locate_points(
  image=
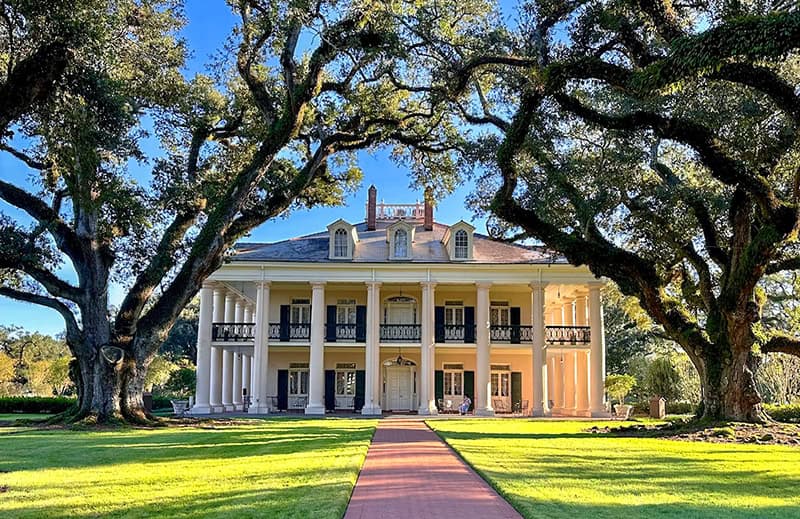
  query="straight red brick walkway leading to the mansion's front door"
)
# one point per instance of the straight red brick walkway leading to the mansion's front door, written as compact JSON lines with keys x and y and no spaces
{"x":410,"y":472}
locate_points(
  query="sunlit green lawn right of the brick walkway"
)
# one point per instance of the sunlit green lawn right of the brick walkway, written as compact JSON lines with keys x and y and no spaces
{"x":553,"y":469}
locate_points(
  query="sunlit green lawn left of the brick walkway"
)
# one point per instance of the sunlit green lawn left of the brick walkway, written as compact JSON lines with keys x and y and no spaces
{"x":280,"y":467}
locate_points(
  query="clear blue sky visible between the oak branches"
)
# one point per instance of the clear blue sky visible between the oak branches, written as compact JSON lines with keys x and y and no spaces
{"x":209,"y":23}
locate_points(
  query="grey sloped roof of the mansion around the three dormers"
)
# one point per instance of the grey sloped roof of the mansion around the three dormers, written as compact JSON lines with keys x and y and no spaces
{"x":372,"y":248}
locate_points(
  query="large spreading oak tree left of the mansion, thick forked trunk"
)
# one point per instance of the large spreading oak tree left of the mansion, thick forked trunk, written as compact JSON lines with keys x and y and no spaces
{"x":299,"y":87}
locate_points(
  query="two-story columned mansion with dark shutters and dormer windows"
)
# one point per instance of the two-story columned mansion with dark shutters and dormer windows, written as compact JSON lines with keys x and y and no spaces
{"x":400,"y":314}
